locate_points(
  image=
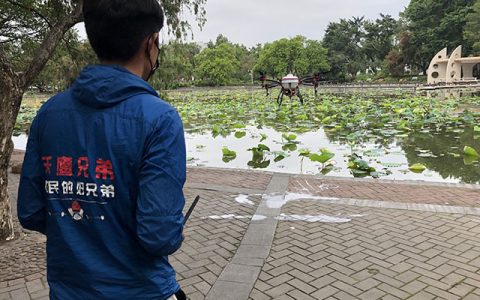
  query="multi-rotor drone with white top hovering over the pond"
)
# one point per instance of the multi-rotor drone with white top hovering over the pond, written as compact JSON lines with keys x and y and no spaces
{"x":290,"y":85}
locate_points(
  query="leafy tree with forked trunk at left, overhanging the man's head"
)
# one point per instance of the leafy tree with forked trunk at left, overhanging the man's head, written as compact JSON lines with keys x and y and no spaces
{"x":41,"y":25}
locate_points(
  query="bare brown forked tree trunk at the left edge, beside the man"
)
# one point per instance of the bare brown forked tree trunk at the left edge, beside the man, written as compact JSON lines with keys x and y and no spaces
{"x":12,"y":87}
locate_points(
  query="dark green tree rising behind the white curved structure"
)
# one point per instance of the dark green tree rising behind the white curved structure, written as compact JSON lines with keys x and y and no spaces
{"x":433,"y":25}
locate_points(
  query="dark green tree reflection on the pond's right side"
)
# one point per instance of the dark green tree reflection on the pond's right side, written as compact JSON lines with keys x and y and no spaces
{"x":439,"y":149}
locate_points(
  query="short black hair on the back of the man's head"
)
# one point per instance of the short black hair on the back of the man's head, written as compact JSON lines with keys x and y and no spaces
{"x":116,"y":28}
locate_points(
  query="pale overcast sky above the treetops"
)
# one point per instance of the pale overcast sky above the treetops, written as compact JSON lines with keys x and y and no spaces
{"x":250,"y":22}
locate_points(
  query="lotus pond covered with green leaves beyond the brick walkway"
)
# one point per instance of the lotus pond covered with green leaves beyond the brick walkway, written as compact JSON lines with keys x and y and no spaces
{"x":400,"y":136}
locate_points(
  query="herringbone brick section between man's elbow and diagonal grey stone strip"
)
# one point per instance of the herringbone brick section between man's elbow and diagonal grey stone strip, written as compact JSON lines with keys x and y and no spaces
{"x":210,"y":243}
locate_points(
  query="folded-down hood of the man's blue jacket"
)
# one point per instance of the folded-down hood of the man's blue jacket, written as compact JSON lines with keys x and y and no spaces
{"x":101,"y":86}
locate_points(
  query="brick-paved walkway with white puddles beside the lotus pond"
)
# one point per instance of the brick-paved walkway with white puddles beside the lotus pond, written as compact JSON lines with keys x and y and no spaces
{"x":260,"y":235}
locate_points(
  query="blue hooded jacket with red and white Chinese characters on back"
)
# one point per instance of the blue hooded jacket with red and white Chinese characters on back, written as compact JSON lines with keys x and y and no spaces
{"x":102,"y":177}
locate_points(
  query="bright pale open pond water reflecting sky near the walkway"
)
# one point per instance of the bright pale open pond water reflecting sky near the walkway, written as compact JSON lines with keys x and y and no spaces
{"x":205,"y":151}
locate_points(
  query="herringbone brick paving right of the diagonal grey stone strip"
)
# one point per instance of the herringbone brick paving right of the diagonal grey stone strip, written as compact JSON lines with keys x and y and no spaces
{"x":380,"y":254}
